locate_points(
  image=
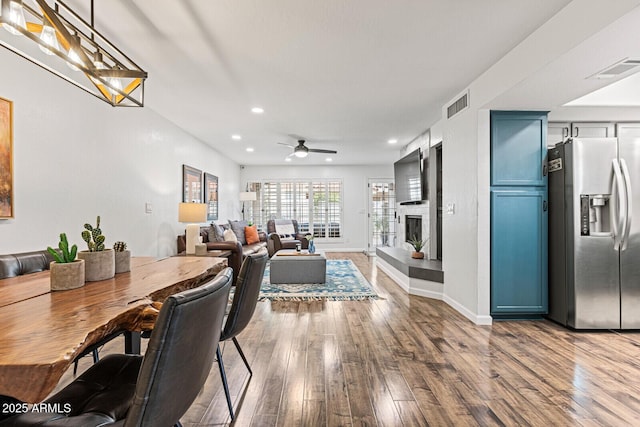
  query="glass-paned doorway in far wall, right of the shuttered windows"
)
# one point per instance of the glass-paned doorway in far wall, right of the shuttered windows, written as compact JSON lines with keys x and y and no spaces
{"x":382,"y":214}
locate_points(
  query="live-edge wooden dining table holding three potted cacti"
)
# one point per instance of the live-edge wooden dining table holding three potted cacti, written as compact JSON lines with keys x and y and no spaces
{"x":43,"y":331}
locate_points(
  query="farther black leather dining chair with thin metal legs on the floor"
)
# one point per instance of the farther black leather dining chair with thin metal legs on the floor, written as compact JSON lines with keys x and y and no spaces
{"x":245,"y":298}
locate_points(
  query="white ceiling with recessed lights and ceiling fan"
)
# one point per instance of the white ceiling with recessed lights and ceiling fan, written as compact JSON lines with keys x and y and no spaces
{"x":344,"y":75}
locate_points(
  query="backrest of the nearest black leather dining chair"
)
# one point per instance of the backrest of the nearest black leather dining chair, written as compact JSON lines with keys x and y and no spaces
{"x":180,"y":353}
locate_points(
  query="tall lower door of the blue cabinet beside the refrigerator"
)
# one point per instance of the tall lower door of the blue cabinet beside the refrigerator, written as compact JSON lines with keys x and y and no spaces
{"x":519,"y":224}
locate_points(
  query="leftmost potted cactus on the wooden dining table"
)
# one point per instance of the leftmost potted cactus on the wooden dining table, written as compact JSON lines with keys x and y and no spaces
{"x":67,"y":272}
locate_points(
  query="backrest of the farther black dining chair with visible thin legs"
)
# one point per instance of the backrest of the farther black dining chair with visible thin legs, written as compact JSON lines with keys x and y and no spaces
{"x":246,"y":294}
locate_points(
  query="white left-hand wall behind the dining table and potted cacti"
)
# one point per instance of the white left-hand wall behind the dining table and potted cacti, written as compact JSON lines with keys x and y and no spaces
{"x":76,"y":157}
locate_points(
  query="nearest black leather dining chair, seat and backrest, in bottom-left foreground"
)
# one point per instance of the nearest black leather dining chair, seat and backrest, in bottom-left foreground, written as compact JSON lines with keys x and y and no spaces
{"x":153,"y":390}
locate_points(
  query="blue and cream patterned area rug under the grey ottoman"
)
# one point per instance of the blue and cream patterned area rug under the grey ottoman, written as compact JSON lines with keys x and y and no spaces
{"x":344,"y":283}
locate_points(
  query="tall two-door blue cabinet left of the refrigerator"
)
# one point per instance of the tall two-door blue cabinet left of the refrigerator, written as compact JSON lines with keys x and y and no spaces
{"x":519,"y":218}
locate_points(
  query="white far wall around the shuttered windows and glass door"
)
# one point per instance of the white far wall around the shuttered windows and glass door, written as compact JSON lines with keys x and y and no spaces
{"x":354,"y":180}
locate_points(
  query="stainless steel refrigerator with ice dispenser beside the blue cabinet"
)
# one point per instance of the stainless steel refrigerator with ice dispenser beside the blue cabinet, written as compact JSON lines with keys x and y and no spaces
{"x":594,"y":240}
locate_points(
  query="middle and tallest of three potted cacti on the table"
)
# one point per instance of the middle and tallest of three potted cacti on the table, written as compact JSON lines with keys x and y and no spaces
{"x":100,"y":263}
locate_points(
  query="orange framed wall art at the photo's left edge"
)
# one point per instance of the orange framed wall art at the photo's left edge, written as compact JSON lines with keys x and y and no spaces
{"x":6,"y":159}
